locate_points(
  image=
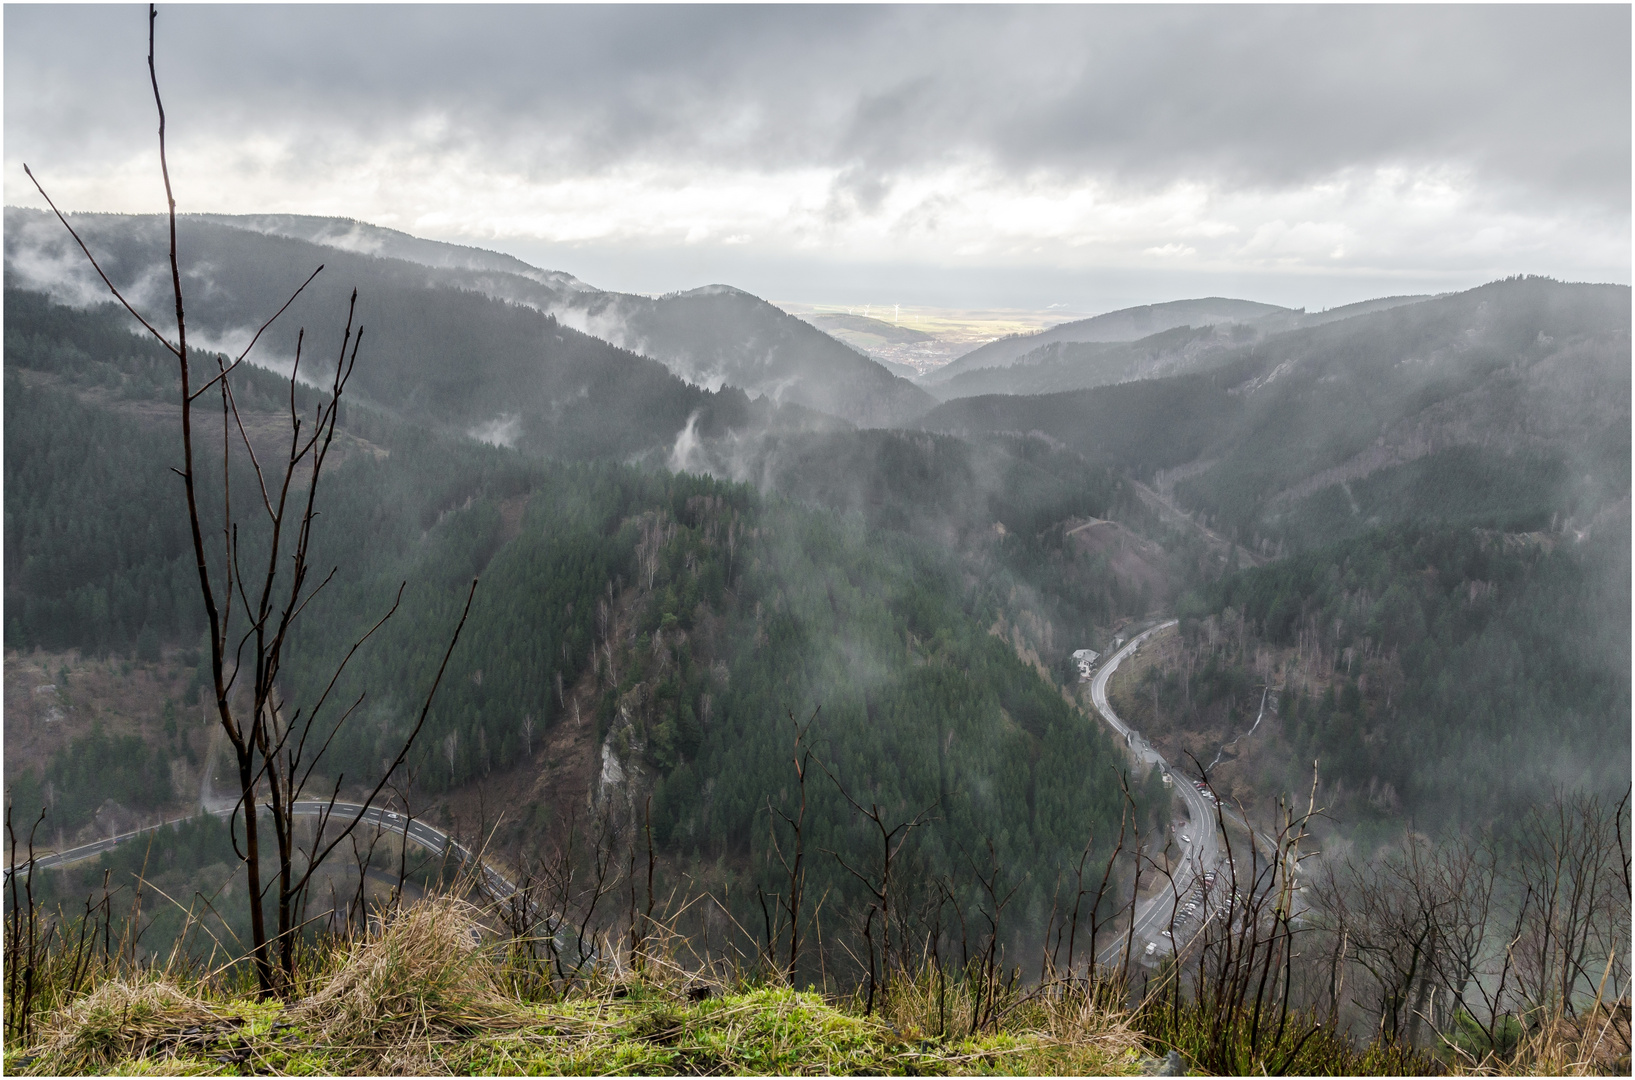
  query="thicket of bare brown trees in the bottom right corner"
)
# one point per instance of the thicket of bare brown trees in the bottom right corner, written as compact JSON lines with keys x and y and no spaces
{"x":1471,"y":937}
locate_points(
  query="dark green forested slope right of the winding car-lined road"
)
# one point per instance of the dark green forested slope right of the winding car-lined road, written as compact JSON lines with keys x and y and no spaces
{"x":1441,"y":676}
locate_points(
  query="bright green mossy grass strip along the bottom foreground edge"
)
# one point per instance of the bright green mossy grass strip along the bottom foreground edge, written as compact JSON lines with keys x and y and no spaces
{"x":647,"y":1032}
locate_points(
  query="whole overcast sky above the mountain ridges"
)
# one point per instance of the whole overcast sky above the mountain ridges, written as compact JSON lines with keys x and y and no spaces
{"x":954,"y":156}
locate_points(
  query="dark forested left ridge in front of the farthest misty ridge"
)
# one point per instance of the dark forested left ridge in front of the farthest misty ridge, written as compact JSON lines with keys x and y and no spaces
{"x":442,"y":355}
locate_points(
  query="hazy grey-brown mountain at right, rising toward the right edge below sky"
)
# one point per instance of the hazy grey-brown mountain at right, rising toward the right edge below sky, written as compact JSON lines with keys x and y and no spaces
{"x":1510,"y":399}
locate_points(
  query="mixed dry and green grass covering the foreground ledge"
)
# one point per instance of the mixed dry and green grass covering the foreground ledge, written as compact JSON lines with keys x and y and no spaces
{"x":428,"y":994}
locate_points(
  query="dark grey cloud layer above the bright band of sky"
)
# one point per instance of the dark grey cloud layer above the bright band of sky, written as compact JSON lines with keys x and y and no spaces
{"x":1534,"y":99}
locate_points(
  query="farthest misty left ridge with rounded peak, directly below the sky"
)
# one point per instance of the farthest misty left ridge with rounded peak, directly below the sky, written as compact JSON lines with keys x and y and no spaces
{"x":714,"y":336}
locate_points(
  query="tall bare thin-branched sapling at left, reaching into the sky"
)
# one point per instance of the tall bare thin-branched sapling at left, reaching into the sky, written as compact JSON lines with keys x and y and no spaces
{"x":275,"y":756}
